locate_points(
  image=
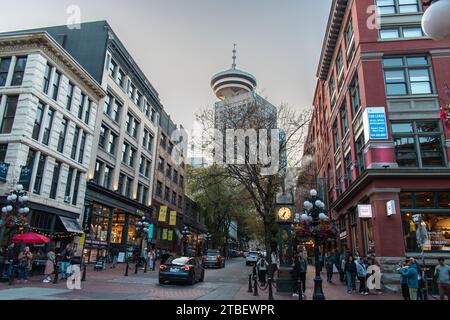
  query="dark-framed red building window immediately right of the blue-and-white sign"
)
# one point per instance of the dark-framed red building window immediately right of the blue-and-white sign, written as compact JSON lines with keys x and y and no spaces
{"x":418,"y":144}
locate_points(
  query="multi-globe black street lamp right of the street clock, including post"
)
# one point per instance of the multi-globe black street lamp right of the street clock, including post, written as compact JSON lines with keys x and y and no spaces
{"x":313,"y":214}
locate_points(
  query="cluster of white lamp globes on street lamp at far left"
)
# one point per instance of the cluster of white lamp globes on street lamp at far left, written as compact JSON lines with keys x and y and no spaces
{"x":15,"y":212}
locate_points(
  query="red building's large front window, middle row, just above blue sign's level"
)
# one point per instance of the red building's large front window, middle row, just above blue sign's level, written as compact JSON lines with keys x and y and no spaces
{"x":407,"y":75}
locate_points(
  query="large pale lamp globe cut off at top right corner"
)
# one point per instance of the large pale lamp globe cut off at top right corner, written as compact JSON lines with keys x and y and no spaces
{"x":436,"y":22}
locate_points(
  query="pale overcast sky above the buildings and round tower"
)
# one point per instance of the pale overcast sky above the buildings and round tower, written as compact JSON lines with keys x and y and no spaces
{"x":181,"y":44}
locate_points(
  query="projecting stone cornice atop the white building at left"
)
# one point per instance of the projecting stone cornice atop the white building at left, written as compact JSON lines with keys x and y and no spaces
{"x":42,"y":41}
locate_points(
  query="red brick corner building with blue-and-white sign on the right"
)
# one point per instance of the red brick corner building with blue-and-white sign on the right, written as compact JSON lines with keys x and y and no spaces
{"x":376,"y":136}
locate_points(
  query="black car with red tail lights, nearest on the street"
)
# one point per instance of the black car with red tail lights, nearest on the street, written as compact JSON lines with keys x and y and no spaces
{"x":182,"y":270}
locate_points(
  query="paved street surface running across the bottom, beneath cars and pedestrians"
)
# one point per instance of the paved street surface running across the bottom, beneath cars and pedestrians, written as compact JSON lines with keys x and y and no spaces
{"x":230,"y":283}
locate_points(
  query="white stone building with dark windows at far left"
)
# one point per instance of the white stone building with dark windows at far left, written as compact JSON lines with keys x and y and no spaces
{"x":48,"y":113}
